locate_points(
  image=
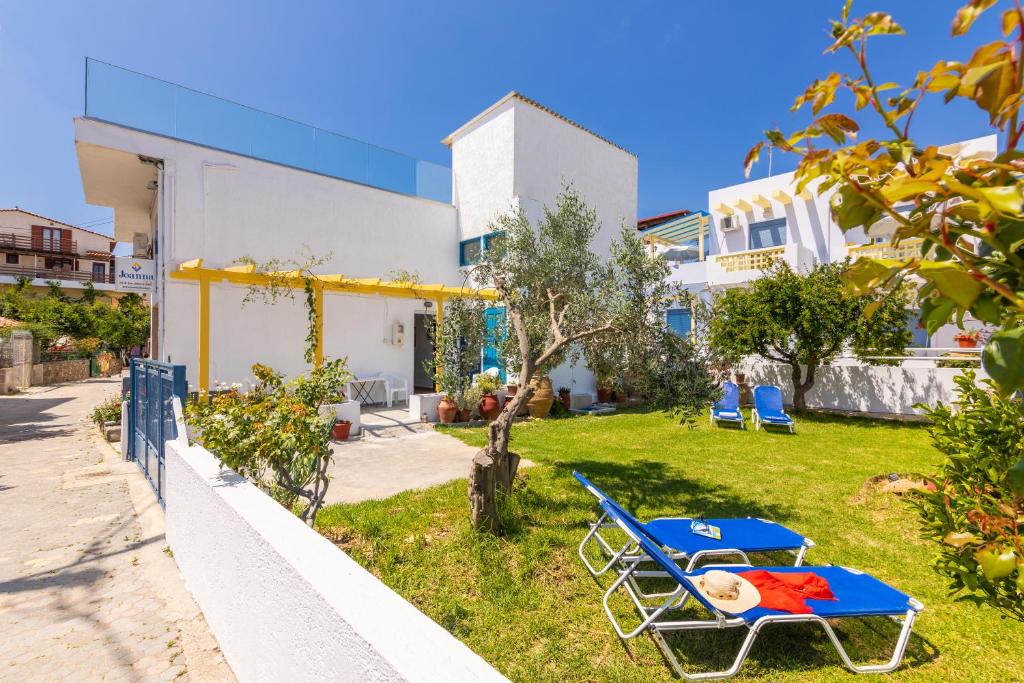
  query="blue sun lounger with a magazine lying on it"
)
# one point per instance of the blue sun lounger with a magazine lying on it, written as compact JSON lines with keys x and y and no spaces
{"x":740,"y":537}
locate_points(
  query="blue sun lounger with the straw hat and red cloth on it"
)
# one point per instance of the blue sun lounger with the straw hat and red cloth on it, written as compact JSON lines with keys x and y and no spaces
{"x":860,"y":595}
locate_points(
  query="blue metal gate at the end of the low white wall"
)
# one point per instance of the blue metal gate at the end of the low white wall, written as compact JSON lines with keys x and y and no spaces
{"x":151,"y":415}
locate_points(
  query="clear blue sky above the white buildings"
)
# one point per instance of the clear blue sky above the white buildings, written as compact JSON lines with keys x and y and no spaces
{"x":688,"y":87}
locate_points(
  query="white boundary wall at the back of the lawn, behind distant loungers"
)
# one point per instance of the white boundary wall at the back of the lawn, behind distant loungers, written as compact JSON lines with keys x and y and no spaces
{"x":866,"y":389}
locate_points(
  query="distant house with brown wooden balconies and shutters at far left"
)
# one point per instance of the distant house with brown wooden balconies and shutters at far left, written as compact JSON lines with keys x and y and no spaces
{"x":44,"y":250}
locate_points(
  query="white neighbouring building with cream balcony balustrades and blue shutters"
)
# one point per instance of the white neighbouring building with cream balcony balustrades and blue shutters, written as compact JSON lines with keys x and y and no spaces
{"x":755,"y":224}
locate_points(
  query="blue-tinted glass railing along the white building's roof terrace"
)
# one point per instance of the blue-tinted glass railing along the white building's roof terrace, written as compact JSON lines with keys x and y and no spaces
{"x":147,"y":104}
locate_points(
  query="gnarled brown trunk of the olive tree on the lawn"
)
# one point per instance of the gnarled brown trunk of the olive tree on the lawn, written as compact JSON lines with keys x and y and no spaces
{"x":494,"y":467}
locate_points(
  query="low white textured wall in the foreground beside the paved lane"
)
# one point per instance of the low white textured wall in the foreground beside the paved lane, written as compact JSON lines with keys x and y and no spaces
{"x":285,"y":604}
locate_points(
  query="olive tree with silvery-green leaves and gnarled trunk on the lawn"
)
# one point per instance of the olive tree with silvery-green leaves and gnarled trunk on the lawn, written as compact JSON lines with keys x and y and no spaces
{"x":558,"y":292}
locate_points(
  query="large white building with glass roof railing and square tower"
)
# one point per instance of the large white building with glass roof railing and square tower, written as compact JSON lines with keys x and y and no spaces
{"x":191,"y":177}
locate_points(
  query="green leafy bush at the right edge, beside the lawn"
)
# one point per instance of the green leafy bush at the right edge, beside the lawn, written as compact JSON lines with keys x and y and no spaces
{"x":976,"y":515}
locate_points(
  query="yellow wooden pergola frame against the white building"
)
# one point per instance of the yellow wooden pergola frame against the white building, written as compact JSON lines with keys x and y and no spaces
{"x":247,"y":275}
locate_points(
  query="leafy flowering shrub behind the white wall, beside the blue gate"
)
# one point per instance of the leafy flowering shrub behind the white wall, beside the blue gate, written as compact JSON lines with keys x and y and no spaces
{"x":275,"y":435}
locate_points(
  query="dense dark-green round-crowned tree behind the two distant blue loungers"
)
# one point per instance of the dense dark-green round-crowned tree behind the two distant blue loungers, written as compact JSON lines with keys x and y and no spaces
{"x":805,"y":321}
